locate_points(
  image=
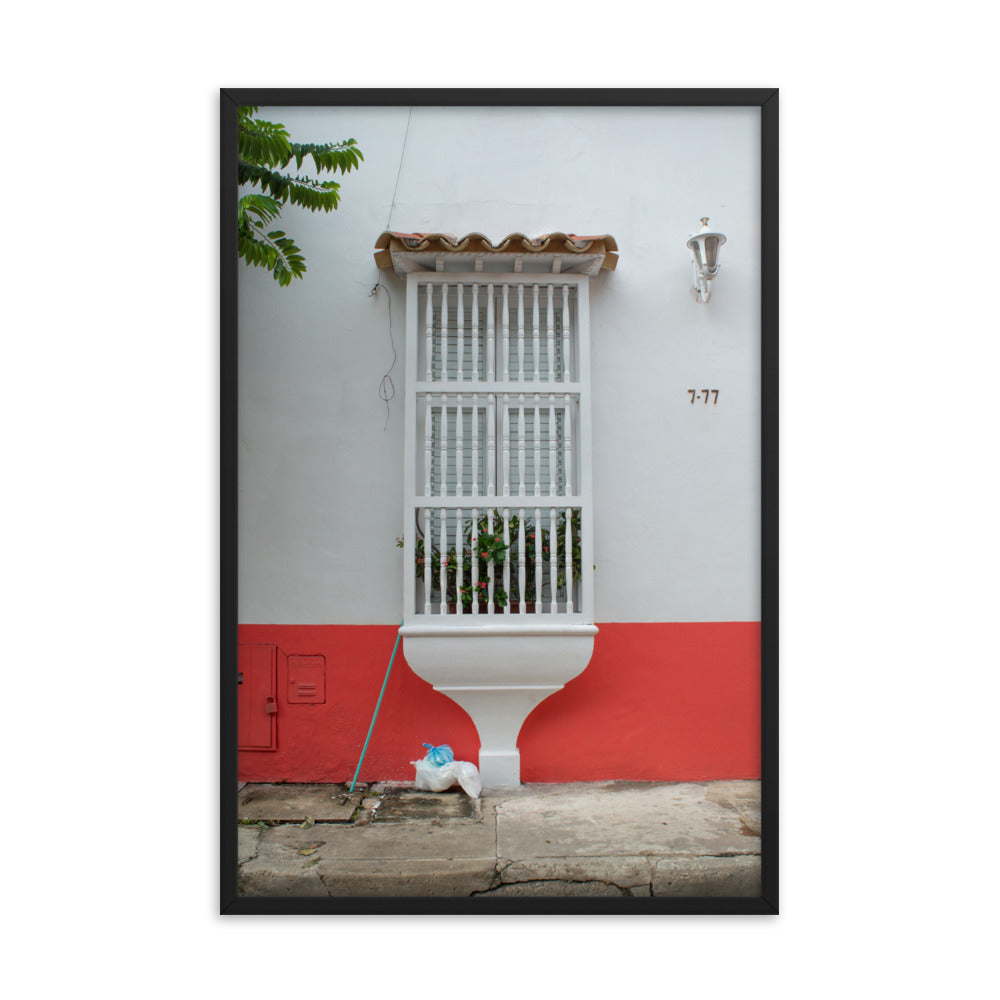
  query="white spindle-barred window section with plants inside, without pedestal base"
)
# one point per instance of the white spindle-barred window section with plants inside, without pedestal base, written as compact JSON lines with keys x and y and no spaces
{"x":498,"y":447}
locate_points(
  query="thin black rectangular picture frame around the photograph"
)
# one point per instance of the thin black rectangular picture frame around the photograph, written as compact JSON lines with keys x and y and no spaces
{"x":764,"y":98}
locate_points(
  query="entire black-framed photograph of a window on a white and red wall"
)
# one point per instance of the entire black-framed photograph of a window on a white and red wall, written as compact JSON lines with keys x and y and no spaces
{"x":499,"y":499}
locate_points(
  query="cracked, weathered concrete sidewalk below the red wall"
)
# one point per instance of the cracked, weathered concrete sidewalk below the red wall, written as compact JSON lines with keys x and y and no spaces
{"x":595,"y":839}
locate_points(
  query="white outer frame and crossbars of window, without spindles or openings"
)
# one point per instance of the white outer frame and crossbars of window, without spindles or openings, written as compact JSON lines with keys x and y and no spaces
{"x":417,"y":388}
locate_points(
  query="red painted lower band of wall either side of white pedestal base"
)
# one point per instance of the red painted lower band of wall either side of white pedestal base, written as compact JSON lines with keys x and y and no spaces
{"x":658,"y":702}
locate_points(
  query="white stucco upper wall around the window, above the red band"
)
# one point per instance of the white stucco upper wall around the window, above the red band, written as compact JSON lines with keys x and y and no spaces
{"x":676,"y":485}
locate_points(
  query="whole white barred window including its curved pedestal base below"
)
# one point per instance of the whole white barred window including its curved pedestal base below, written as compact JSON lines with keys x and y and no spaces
{"x":497,"y":462}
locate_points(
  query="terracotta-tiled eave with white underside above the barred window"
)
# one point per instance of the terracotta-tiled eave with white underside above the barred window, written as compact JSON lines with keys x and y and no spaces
{"x":553,"y":253}
